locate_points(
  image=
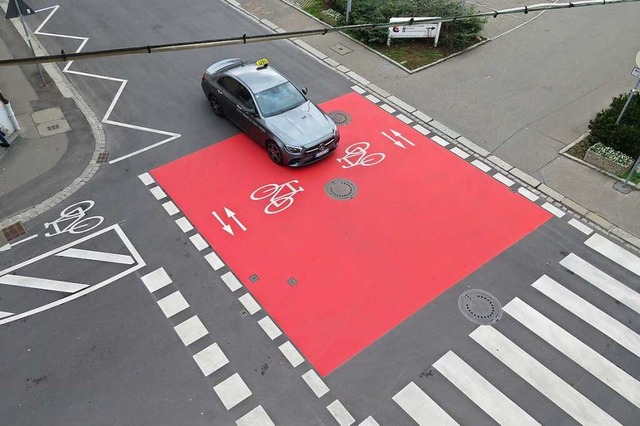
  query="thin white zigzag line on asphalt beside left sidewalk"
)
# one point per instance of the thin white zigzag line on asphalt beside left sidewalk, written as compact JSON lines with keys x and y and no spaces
{"x":170,"y":135}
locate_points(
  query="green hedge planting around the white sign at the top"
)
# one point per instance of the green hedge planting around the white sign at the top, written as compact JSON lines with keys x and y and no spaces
{"x":453,"y":35}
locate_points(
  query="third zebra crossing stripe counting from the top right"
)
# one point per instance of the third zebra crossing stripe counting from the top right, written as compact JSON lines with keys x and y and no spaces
{"x":589,"y":313}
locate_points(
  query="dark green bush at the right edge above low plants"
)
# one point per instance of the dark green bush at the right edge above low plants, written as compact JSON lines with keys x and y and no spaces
{"x":623,"y":137}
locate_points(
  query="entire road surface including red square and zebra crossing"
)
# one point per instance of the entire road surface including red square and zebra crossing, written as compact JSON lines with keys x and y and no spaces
{"x":176,"y":292}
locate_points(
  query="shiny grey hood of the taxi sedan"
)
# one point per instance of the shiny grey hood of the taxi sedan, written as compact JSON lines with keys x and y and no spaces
{"x":301,"y":126}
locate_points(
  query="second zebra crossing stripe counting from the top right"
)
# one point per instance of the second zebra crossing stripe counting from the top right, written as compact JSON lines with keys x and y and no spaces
{"x":604,"y":282}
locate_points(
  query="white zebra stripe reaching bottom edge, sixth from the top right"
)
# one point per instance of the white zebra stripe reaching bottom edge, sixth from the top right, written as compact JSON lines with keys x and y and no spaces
{"x":481,"y":392}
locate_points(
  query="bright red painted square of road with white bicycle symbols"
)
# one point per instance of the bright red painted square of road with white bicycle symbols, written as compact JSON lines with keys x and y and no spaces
{"x":422,"y":220}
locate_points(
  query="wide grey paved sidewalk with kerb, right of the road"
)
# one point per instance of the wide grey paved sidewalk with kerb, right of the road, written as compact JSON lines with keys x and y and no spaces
{"x":516,"y":103}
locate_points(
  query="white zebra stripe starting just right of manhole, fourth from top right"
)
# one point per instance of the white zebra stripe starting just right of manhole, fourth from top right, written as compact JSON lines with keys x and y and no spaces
{"x":578,"y":352}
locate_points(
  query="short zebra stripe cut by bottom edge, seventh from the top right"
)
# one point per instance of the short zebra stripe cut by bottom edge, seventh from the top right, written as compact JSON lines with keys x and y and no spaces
{"x":422,"y":409}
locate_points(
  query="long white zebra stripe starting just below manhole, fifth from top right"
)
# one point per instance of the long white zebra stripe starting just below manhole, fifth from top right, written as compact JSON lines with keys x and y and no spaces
{"x":541,"y":378}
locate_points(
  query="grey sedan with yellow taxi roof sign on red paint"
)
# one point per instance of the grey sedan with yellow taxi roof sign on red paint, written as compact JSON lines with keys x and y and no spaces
{"x":271,"y":110}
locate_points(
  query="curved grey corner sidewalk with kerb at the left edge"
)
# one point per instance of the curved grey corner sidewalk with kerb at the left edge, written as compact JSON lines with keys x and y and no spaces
{"x":55,"y":151}
